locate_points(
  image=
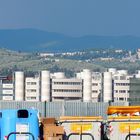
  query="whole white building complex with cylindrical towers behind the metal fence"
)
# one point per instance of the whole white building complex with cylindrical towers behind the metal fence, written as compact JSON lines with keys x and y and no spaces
{"x":87,"y":86}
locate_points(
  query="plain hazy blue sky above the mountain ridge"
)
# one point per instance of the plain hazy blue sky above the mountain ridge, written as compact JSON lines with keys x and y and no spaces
{"x":73,"y":17}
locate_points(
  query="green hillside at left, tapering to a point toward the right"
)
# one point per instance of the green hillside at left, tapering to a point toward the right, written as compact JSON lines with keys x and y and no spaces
{"x":31,"y":63}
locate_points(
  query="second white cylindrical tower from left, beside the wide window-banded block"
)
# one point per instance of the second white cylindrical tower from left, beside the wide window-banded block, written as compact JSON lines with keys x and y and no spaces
{"x":45,"y":86}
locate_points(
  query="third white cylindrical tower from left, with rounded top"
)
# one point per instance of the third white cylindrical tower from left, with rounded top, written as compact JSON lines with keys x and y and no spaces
{"x":87,"y":85}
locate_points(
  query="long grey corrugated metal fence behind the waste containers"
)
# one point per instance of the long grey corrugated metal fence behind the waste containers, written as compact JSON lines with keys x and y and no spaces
{"x":57,"y":109}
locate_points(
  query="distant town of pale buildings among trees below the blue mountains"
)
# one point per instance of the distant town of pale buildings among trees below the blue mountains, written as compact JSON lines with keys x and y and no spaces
{"x":98,"y":54}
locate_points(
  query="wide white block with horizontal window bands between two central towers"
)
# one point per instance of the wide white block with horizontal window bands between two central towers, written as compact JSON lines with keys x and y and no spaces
{"x":66,"y":89}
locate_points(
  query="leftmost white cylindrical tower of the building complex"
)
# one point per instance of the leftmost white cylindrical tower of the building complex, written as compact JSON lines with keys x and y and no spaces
{"x":19,"y":86}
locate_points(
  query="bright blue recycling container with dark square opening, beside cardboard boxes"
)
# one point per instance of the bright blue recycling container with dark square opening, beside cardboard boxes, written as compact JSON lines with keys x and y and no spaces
{"x":19,"y":121}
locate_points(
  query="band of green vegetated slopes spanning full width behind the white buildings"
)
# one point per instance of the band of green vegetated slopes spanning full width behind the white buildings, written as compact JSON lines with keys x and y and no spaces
{"x":31,"y":63}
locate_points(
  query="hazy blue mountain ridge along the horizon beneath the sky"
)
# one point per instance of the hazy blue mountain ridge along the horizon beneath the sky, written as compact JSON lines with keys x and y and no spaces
{"x":32,"y":40}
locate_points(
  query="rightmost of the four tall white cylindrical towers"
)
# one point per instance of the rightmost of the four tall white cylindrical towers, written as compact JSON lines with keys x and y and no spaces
{"x":107,"y":86}
